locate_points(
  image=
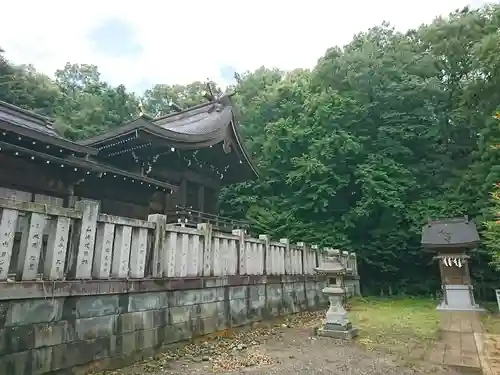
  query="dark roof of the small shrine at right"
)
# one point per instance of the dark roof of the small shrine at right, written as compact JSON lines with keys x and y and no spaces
{"x":454,"y":232}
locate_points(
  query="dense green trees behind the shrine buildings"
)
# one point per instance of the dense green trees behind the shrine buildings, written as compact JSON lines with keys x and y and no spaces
{"x":383,"y":134}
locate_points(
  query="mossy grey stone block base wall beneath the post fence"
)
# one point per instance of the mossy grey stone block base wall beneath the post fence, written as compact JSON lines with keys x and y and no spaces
{"x":73,"y":327}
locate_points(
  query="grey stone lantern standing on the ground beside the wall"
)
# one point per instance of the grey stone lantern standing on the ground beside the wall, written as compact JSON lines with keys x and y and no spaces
{"x":337,"y":324}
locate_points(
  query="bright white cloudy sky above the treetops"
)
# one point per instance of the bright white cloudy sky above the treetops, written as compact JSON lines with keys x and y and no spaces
{"x":140,"y":43}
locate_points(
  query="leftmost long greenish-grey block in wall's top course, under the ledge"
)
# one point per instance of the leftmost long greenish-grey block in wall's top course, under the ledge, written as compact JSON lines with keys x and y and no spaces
{"x":34,"y":311}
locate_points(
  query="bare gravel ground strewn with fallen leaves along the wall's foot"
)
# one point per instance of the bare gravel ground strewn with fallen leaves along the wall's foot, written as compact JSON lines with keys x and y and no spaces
{"x":287,"y":348}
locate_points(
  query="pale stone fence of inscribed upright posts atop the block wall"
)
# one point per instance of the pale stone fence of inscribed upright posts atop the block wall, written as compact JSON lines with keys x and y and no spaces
{"x":39,"y":241}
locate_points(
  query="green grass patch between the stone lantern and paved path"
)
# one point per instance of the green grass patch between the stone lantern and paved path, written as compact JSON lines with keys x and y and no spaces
{"x":404,"y":327}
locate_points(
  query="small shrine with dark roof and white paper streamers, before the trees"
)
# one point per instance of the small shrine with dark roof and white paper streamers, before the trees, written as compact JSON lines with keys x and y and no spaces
{"x":451,"y":239}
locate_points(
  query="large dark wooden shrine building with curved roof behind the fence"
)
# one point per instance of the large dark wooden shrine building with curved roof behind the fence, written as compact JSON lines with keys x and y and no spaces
{"x":173,"y":165}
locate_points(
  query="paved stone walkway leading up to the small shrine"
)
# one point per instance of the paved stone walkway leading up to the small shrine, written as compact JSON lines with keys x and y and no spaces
{"x":465,"y":347}
